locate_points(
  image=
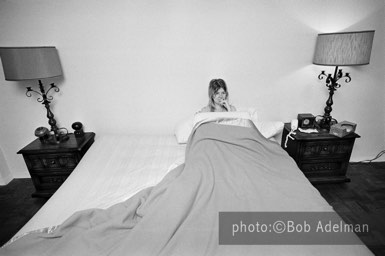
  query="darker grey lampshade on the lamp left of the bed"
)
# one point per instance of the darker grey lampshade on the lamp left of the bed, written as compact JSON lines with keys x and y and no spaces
{"x":25,"y":63}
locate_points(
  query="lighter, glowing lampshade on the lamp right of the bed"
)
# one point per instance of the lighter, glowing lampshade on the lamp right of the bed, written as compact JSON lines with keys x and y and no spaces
{"x":343,"y":49}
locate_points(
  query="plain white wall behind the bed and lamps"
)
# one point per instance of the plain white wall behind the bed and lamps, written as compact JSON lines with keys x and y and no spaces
{"x":141,"y":66}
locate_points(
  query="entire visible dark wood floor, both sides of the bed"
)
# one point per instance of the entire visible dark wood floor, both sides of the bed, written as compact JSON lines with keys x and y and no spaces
{"x":360,"y":201}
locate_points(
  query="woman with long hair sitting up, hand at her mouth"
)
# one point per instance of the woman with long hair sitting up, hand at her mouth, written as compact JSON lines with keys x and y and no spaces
{"x":218,"y":97}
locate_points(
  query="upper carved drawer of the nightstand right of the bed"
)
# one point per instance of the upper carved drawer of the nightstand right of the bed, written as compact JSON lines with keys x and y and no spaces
{"x":326,"y":149}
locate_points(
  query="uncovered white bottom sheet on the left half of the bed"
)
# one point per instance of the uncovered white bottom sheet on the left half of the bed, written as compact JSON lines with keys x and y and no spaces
{"x":114,"y":169}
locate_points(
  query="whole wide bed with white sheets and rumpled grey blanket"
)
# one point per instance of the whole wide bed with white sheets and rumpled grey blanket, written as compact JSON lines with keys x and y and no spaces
{"x":150,"y":195}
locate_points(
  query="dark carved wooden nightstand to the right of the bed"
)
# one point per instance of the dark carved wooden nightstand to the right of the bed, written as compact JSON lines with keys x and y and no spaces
{"x":322,"y":157}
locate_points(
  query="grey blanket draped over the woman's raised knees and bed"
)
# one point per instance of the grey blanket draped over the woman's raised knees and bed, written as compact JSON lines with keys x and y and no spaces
{"x":227,"y":168}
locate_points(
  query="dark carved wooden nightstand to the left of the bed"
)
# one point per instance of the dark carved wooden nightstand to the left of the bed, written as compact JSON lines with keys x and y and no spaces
{"x":50,"y":164}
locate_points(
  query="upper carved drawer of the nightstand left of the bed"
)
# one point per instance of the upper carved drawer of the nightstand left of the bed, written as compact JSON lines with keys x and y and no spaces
{"x":49,"y":161}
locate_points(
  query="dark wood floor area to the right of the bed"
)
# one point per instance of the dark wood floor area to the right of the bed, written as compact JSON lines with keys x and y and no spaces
{"x":361,"y":201}
